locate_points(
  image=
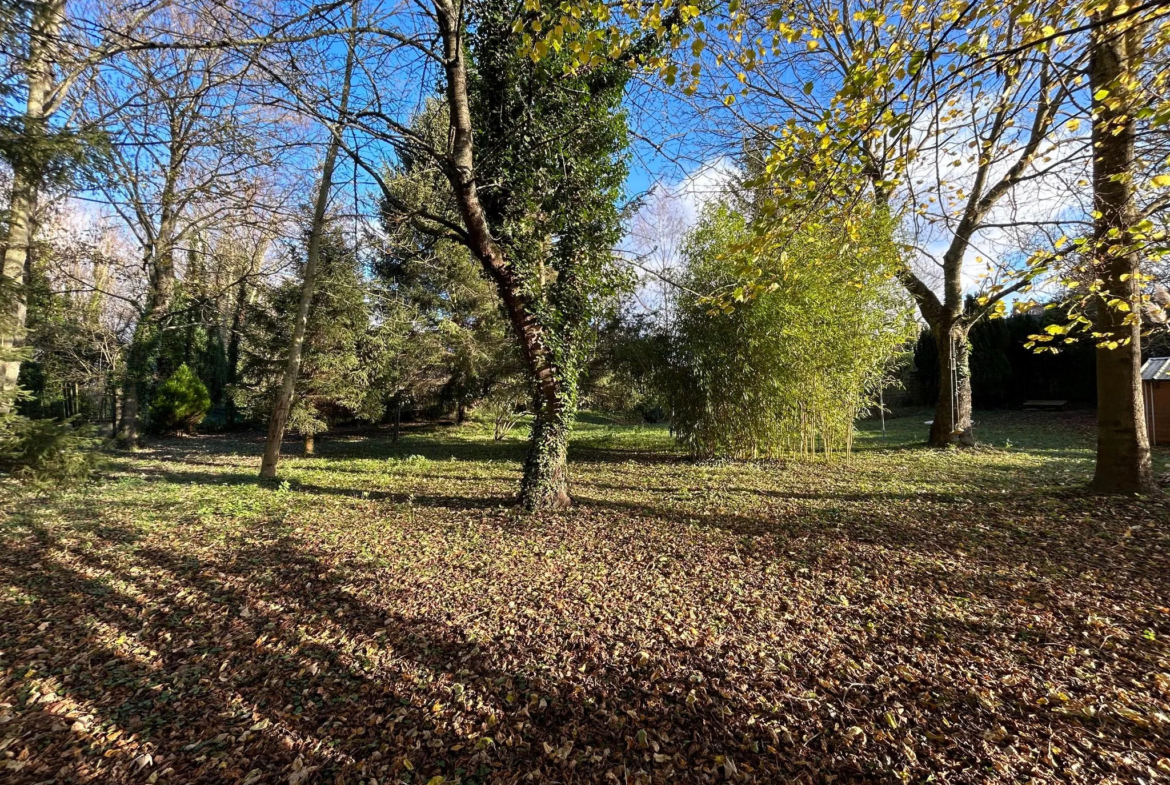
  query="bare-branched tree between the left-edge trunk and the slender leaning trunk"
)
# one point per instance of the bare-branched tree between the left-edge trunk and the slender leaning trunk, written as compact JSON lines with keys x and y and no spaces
{"x":187,"y":160}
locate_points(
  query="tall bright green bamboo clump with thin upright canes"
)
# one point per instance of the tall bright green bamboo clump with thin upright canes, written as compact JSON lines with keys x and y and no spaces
{"x":792,"y":368}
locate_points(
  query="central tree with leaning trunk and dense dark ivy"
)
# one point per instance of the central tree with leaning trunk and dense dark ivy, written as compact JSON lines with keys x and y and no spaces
{"x":536,"y":210}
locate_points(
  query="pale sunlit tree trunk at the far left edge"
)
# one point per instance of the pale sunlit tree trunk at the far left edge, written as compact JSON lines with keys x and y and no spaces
{"x":47,"y":19}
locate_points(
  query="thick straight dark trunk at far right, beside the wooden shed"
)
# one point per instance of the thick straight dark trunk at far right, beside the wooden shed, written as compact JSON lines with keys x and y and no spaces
{"x":1124,"y":449}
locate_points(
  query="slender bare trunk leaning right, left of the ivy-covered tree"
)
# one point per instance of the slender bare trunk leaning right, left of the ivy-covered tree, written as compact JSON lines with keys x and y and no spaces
{"x":280,"y":417}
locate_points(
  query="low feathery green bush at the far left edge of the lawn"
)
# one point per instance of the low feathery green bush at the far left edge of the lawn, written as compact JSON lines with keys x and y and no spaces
{"x":47,"y":452}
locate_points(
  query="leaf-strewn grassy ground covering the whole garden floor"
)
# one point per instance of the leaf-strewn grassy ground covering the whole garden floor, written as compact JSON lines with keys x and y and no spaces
{"x":384,"y":616}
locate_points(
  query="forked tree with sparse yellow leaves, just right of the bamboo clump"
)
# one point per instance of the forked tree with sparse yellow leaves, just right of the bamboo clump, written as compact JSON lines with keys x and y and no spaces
{"x":882,"y":105}
